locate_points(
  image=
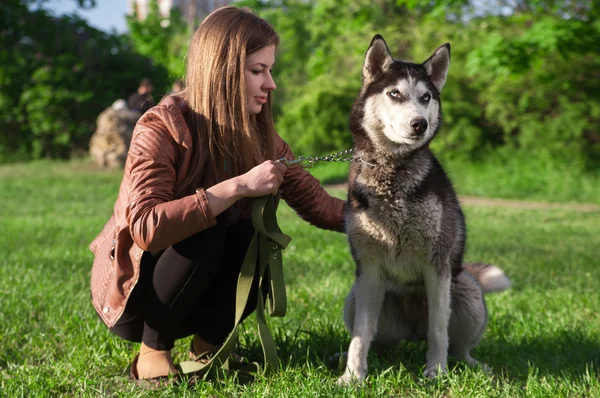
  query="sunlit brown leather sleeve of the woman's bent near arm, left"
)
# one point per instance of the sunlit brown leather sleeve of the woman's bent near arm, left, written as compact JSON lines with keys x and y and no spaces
{"x":155,"y":217}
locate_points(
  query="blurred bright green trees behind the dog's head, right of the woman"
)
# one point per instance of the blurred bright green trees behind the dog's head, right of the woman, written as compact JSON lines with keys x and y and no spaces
{"x":524,"y":74}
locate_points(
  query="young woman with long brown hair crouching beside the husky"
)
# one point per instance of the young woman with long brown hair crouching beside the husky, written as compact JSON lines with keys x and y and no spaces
{"x":166,"y":263}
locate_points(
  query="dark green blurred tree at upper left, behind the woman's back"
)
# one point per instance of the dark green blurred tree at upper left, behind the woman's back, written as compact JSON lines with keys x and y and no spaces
{"x":56,"y":75}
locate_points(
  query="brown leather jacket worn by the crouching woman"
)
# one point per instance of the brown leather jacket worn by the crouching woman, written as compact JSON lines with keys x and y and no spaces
{"x":147,"y":216}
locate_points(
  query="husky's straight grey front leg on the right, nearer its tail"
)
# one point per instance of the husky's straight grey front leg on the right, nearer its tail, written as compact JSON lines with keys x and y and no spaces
{"x":437,"y":285}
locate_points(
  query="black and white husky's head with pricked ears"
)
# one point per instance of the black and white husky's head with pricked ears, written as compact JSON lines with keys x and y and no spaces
{"x":398,"y":109}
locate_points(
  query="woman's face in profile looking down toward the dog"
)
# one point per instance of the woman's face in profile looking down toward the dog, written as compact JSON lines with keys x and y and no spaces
{"x":259,"y":82}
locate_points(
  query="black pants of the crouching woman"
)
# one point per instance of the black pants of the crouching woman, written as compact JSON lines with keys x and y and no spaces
{"x":189,"y":288}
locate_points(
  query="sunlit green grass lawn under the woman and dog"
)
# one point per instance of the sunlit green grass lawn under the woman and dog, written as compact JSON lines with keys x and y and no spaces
{"x":543,"y":338}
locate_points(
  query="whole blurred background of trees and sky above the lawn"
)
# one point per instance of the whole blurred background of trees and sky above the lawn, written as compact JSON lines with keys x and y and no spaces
{"x":521,"y":104}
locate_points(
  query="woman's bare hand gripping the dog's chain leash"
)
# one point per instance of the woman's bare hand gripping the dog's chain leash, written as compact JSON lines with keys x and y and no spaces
{"x":263,"y":179}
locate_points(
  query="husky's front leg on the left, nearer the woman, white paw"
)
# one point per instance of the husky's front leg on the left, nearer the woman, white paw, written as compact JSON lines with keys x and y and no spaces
{"x":369,"y":291}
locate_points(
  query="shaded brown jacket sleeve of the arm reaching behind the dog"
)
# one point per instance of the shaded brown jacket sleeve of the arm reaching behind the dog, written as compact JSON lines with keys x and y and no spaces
{"x":306,"y":196}
